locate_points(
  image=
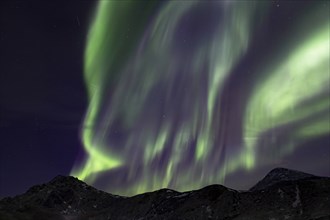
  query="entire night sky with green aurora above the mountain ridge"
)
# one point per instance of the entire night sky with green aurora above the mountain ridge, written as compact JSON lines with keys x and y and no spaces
{"x":133,"y":96}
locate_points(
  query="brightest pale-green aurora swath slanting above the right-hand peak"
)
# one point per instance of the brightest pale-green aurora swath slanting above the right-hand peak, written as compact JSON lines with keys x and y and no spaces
{"x":278,"y":100}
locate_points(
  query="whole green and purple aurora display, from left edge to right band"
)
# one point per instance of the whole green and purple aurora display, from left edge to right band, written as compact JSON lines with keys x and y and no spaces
{"x":165,"y":110}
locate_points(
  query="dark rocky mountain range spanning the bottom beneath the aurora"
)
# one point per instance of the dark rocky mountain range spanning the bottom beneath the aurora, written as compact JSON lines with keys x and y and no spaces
{"x":282,"y":195}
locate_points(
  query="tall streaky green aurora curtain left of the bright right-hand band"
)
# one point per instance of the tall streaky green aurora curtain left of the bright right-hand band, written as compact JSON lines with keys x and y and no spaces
{"x":105,"y":66}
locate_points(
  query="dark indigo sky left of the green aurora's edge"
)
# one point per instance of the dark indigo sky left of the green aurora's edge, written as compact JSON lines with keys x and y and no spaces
{"x":43,"y":98}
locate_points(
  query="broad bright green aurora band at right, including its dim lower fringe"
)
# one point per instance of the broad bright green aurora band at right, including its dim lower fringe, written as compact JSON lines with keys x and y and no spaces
{"x":290,"y":103}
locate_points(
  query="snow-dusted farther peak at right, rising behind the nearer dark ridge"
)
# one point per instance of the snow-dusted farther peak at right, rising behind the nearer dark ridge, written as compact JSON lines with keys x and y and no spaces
{"x":278,"y":175}
